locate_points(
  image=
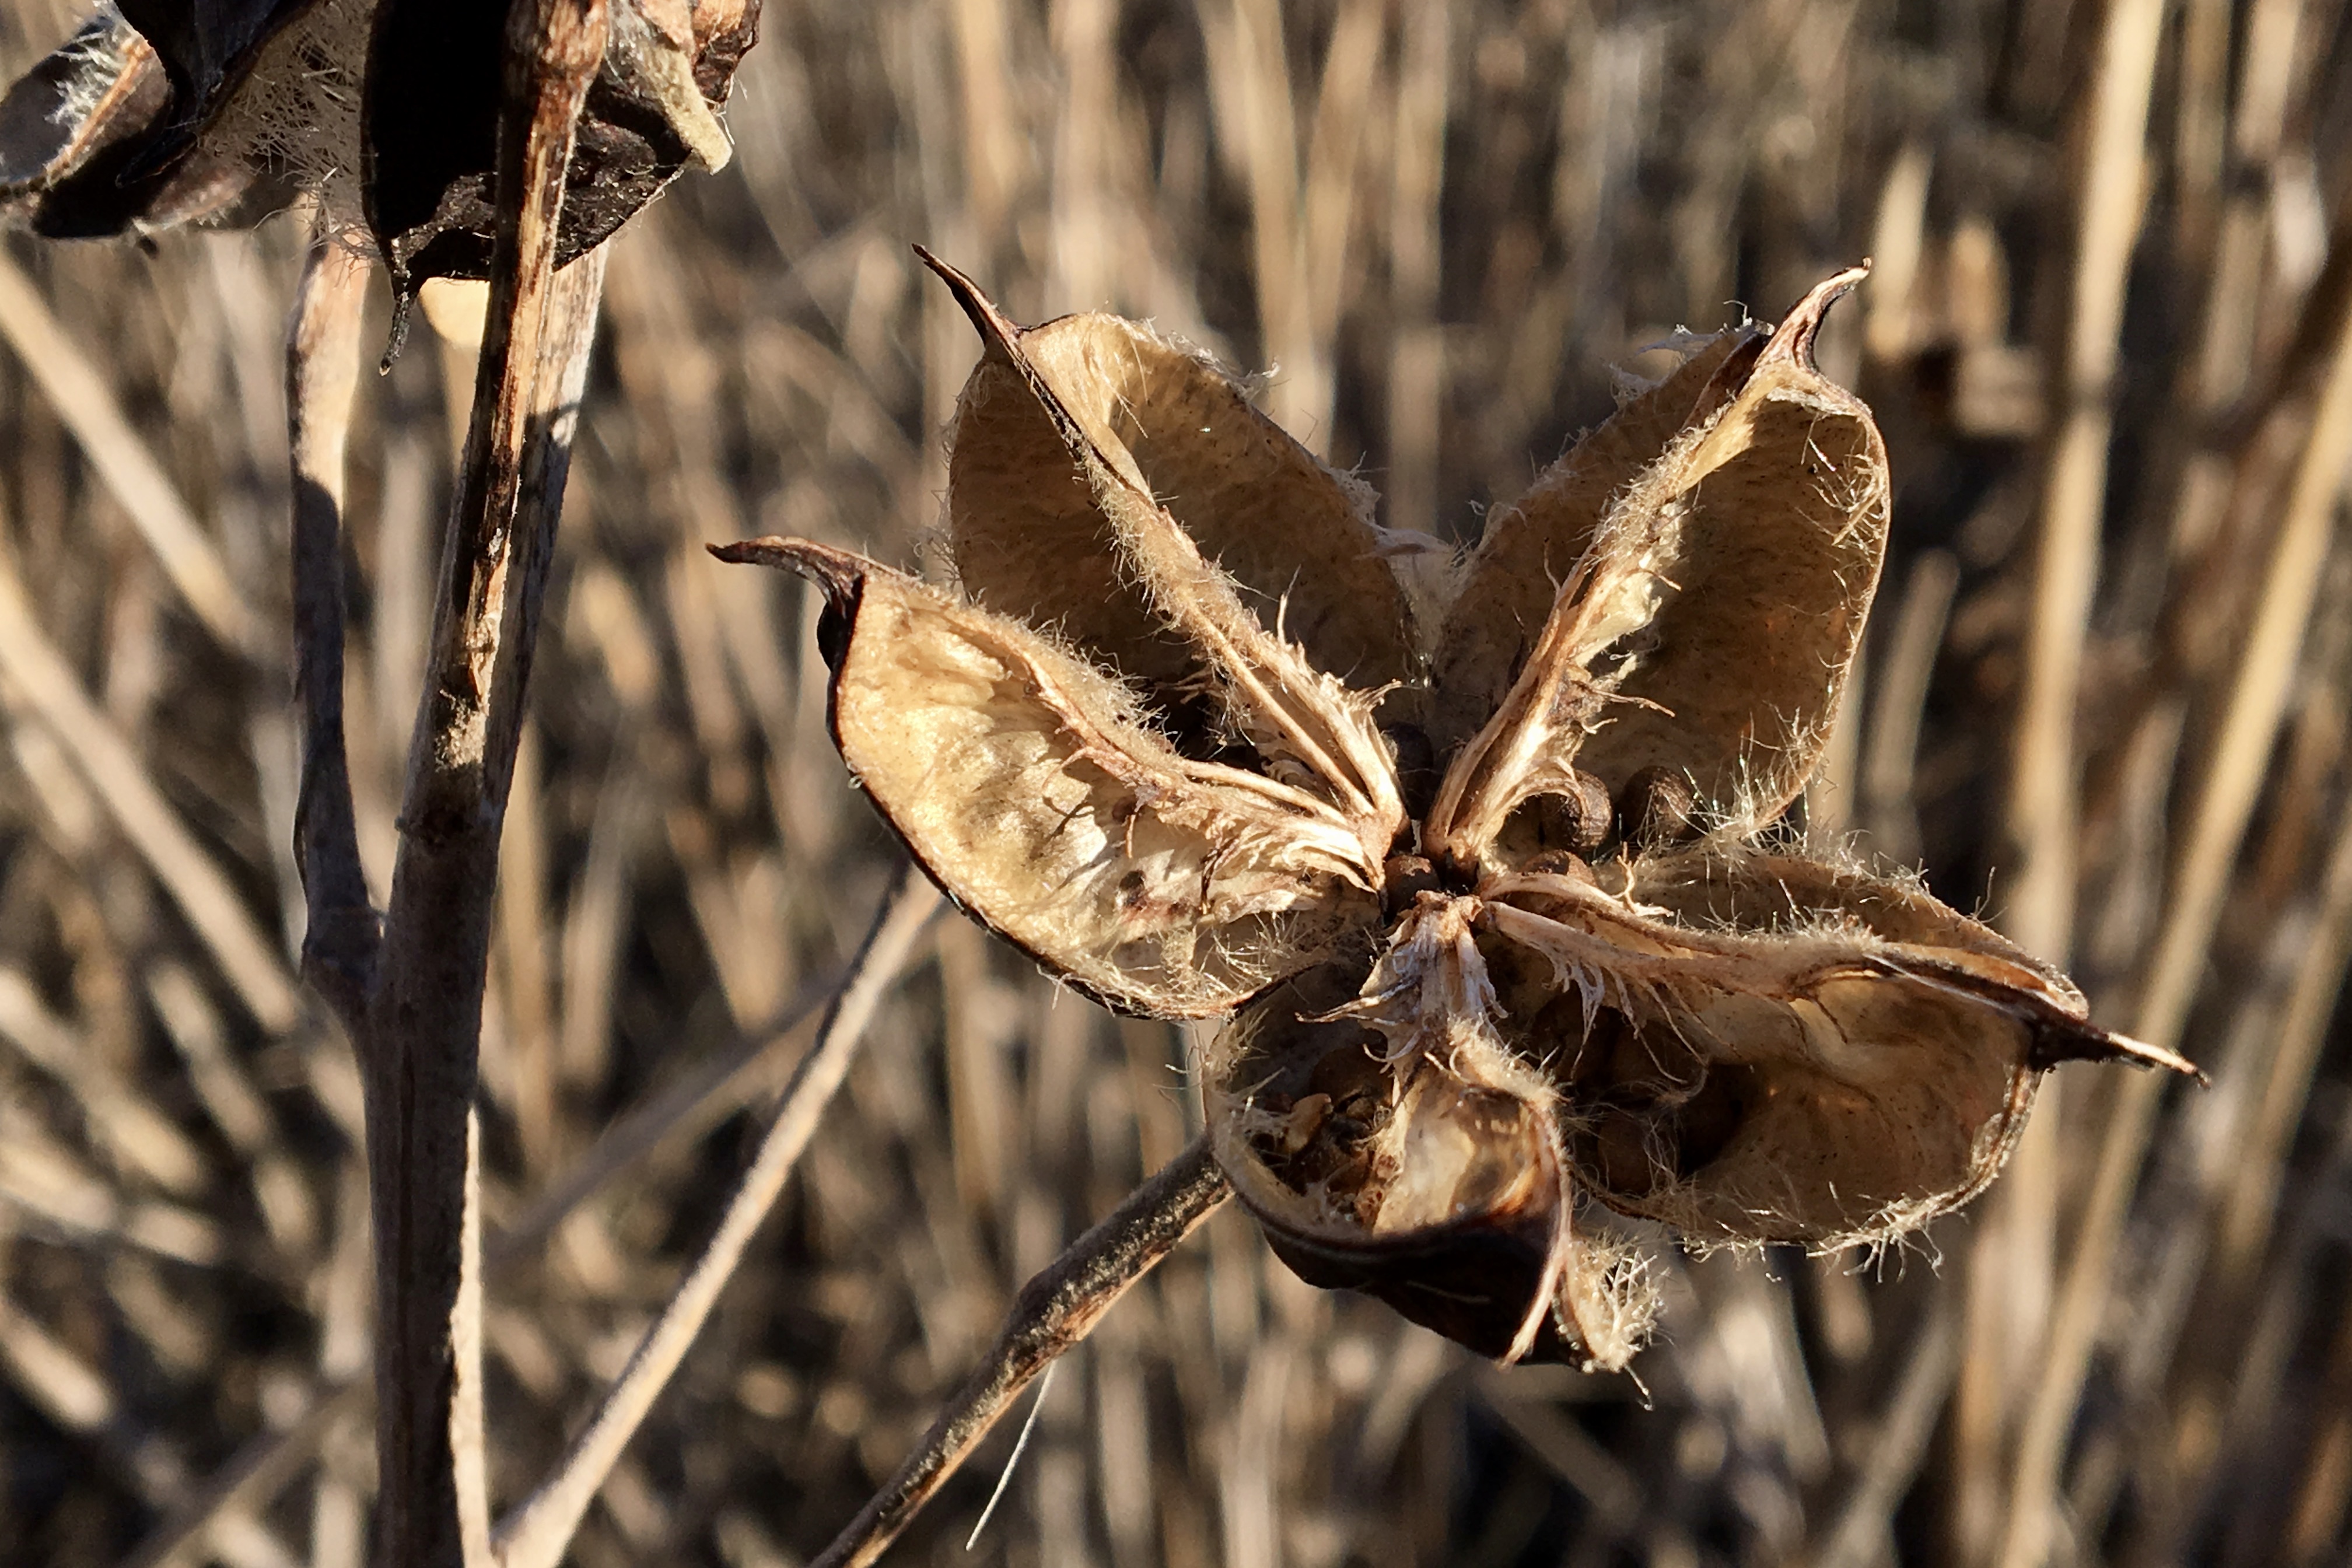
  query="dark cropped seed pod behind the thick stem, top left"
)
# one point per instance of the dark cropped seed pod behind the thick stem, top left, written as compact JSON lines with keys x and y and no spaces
{"x":387,"y":112}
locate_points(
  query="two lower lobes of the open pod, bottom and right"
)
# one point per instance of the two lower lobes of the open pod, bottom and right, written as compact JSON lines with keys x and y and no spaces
{"x":1779,"y":1052}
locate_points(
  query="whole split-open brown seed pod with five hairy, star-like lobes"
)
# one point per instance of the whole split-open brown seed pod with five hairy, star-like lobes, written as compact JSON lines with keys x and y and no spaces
{"x":1514,"y":974}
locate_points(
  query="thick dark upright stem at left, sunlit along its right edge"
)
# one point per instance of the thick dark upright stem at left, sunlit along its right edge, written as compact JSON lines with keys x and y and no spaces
{"x":425,"y":998}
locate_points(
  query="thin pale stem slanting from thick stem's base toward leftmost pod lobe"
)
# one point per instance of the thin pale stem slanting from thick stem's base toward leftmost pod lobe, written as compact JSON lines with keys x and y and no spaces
{"x":540,"y":1532}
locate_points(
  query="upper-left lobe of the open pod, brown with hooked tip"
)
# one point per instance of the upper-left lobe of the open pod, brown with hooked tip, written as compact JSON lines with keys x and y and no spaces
{"x":1118,"y":406}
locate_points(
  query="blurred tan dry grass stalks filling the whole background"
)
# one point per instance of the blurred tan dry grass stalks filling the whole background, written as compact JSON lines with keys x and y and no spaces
{"x":1443,"y":229}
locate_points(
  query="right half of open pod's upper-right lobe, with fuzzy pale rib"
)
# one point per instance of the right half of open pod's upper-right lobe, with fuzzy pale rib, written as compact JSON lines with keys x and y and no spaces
{"x":1749,"y":547}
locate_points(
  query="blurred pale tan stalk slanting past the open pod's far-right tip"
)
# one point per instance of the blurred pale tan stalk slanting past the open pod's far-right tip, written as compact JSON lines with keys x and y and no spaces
{"x":2224,"y":803}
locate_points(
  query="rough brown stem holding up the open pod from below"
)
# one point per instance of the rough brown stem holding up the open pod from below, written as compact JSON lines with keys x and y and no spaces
{"x":1050,"y":1318}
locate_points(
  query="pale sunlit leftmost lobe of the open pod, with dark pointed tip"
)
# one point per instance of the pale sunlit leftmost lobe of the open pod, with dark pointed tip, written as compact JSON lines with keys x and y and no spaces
{"x":1036,"y":796}
